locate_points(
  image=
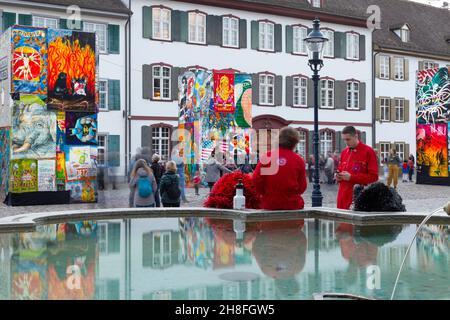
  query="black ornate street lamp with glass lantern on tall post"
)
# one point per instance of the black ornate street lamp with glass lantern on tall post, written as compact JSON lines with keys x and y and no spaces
{"x":315,"y":43}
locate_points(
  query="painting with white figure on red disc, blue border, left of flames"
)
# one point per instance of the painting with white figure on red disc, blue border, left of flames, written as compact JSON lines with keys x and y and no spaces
{"x":29,"y":60}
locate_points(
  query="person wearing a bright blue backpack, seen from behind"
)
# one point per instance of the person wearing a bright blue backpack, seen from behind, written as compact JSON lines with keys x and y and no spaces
{"x":143,"y":185}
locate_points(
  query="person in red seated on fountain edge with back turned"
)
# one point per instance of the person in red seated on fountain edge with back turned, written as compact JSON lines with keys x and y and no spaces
{"x":280,"y":176}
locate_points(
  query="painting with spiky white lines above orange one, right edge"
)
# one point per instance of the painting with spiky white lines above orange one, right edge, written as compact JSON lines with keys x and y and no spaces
{"x":433,"y":96}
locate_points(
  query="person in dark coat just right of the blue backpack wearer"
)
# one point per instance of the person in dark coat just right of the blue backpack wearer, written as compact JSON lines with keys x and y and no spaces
{"x":169,"y":187}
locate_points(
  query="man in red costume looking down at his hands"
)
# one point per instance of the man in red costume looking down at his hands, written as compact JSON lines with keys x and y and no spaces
{"x":358,"y":165}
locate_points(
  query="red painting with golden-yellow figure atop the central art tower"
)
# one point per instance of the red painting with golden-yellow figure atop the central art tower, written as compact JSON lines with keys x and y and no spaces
{"x":224,"y":92}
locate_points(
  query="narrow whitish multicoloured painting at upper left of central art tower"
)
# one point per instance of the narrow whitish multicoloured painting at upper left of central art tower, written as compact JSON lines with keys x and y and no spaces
{"x":186,"y":83}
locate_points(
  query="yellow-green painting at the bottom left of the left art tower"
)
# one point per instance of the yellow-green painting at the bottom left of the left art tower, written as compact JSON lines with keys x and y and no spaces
{"x":23,"y":176}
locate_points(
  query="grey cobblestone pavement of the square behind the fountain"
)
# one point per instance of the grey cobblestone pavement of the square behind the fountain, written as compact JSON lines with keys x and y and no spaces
{"x":417,"y":198}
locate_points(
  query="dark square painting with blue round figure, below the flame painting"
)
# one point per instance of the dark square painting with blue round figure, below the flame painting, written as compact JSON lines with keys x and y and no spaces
{"x":81,"y":128}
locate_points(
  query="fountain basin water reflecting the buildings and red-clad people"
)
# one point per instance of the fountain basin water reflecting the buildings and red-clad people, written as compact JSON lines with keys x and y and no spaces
{"x":201,"y":258}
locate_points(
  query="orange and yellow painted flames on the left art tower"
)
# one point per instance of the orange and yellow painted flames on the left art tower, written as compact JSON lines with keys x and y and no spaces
{"x":76,"y":61}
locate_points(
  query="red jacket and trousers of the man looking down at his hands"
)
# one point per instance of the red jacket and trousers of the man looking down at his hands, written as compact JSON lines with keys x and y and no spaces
{"x":362,"y":164}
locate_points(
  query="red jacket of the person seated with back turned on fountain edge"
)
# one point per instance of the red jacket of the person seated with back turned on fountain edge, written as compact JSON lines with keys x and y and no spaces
{"x":282,"y":190}
